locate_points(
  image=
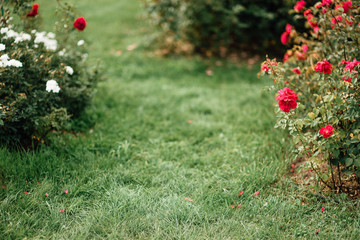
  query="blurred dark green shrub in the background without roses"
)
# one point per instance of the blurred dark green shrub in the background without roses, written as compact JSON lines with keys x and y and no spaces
{"x":212,"y":25}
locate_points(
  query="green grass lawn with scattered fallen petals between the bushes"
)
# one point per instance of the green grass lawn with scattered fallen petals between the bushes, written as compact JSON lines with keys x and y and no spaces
{"x":128,"y":177}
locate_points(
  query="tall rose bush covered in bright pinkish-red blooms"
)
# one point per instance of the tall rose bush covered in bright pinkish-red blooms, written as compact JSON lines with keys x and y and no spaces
{"x":322,"y":68}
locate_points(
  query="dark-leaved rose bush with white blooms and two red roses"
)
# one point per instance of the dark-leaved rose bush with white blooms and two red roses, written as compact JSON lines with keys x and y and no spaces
{"x":44,"y":80}
